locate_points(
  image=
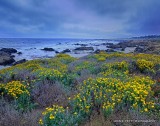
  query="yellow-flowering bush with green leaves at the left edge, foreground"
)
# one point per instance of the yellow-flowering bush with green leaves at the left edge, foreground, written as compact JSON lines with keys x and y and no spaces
{"x":19,"y":92}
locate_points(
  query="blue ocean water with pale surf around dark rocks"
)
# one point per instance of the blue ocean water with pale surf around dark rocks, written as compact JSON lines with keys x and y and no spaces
{"x":31,"y":47}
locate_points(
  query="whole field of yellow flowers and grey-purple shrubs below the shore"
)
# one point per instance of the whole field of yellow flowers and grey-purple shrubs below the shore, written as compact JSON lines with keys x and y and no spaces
{"x":94,"y":90}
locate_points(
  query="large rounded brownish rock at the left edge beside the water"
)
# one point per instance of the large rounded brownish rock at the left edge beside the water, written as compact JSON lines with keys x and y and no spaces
{"x":5,"y":58}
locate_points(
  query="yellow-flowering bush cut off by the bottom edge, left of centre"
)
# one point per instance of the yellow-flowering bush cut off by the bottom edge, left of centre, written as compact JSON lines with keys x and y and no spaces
{"x":58,"y":116}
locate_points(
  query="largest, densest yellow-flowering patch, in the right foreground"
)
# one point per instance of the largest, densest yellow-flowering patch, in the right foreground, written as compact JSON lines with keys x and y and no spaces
{"x":108,"y":94}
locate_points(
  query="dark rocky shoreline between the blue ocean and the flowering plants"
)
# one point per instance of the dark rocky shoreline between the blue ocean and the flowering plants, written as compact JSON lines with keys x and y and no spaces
{"x":7,"y":55}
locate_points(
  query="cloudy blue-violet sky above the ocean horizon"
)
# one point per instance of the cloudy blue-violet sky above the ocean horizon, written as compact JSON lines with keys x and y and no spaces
{"x":79,"y":18}
